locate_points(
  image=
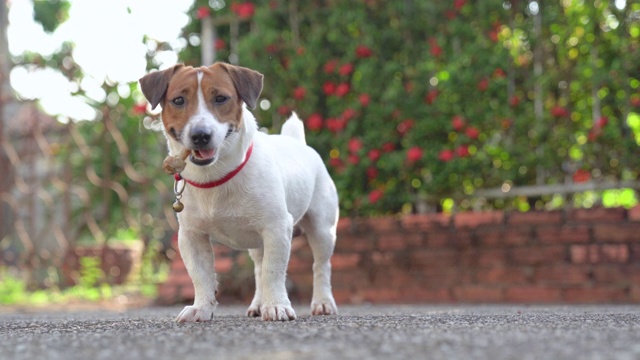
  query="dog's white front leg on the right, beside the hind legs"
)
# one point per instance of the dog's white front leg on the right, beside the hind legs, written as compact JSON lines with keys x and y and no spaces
{"x":275,"y":302}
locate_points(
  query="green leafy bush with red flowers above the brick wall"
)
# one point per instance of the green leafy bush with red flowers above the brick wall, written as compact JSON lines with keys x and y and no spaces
{"x":411,"y":102}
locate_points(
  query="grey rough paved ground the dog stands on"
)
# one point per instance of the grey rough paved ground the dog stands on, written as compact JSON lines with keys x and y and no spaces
{"x":363,"y":332}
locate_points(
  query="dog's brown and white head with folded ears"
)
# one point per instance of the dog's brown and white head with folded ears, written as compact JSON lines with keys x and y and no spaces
{"x":201,"y":107}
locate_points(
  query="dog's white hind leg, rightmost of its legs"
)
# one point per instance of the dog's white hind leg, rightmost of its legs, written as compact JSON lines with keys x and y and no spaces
{"x":321,"y":235}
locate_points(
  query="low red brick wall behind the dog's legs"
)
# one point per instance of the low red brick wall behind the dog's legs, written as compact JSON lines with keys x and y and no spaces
{"x":576,"y":256}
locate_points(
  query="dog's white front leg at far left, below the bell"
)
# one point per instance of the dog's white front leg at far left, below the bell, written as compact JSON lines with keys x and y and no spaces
{"x":197,"y":254}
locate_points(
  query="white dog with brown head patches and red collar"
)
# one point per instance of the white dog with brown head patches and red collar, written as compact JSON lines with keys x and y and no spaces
{"x":245,"y":189}
